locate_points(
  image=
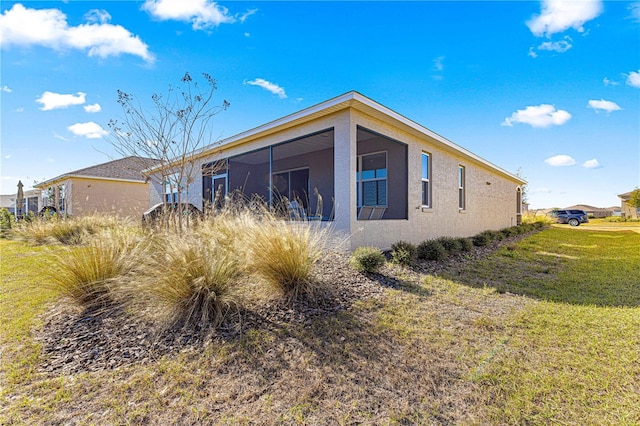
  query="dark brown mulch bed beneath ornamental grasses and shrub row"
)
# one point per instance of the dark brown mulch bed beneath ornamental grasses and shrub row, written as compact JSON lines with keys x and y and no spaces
{"x":76,"y":341}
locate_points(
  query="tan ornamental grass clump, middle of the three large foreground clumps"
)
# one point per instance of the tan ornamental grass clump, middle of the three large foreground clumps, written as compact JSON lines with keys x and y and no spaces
{"x":189,"y":280}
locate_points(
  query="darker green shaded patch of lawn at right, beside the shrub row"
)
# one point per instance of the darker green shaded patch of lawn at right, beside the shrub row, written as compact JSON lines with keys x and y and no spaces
{"x":564,"y":265}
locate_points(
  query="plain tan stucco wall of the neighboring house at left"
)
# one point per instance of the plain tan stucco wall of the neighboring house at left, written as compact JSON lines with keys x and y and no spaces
{"x":124,"y":199}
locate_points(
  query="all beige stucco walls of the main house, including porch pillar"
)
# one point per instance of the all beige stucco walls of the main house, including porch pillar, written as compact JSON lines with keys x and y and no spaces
{"x":490,"y":196}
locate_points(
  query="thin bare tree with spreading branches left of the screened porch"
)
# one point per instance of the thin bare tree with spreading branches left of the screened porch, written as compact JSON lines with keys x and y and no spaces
{"x":171,"y":132}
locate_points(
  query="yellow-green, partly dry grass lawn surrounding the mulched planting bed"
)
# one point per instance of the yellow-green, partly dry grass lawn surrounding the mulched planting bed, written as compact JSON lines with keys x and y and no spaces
{"x":544,"y":330}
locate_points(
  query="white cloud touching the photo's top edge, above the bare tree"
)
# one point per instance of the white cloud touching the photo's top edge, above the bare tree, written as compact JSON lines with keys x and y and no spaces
{"x":202,"y":14}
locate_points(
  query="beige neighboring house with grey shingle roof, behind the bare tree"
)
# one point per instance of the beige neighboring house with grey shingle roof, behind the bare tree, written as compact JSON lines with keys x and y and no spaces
{"x":117,"y":187}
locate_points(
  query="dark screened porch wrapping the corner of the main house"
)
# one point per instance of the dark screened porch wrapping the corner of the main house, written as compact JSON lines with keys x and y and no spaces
{"x":296,"y":178}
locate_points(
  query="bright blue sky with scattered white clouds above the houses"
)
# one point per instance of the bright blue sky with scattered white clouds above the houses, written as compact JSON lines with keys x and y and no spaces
{"x":549,"y":88}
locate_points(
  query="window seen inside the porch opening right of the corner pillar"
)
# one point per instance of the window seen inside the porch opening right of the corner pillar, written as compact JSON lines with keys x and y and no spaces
{"x":372,"y":179}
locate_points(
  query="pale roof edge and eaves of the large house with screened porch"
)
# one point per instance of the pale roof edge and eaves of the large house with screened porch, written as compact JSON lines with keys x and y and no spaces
{"x":350,"y":99}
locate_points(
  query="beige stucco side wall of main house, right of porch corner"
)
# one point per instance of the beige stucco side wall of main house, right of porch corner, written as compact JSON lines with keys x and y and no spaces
{"x":488,"y":206}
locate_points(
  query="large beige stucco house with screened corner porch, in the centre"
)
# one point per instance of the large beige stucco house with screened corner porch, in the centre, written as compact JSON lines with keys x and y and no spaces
{"x":376,"y":175}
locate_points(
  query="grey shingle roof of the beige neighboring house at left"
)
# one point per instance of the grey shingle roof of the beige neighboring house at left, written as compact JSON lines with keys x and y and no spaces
{"x":124,"y":169}
